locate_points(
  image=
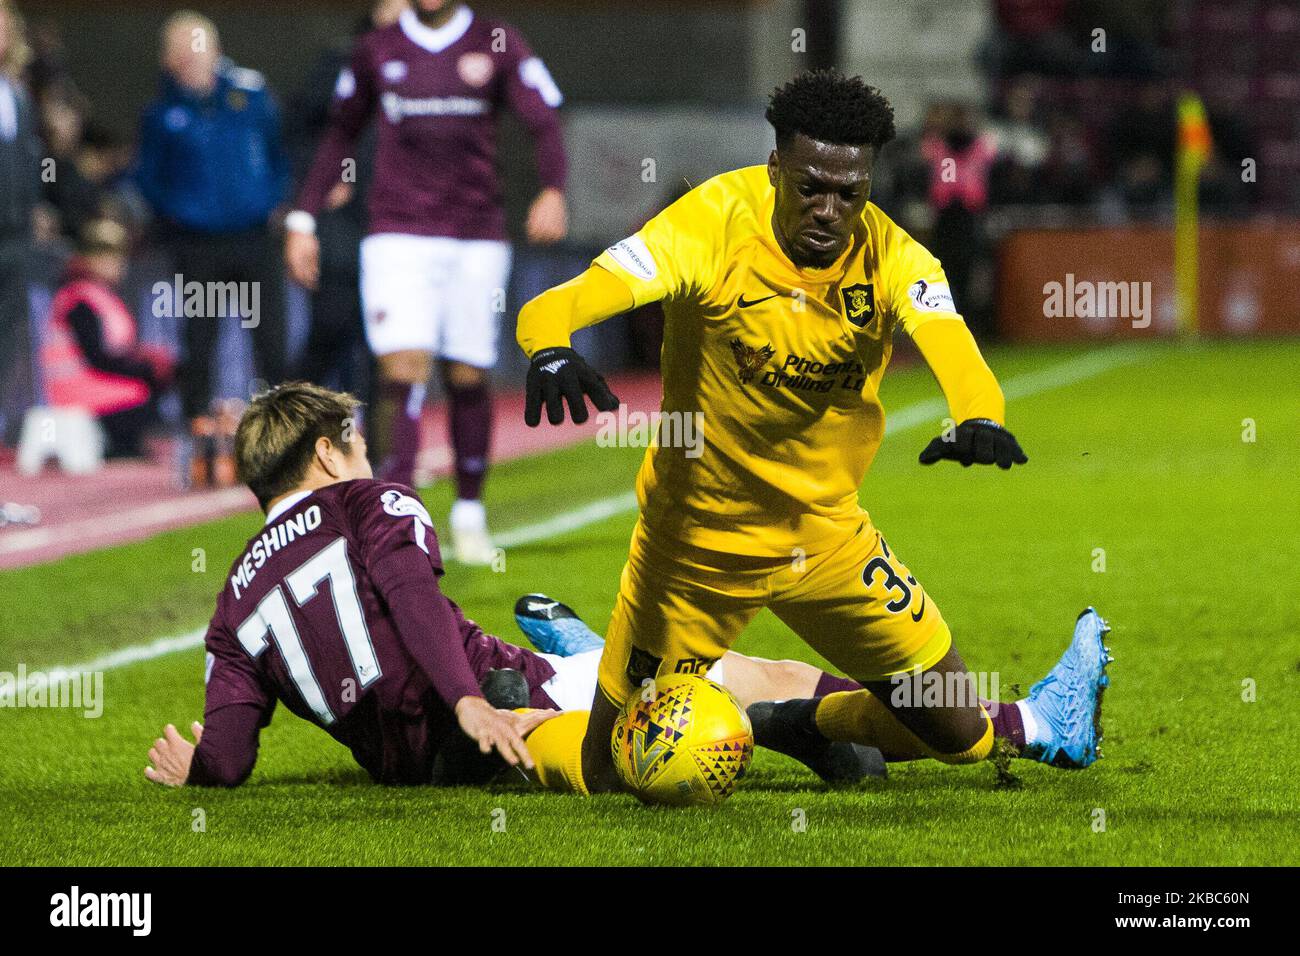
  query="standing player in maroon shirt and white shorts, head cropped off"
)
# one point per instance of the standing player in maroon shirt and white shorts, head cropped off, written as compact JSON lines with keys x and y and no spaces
{"x":436,"y":262}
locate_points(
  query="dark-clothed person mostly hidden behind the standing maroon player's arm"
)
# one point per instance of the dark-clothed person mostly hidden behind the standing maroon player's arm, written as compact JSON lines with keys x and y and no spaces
{"x":336,"y":353}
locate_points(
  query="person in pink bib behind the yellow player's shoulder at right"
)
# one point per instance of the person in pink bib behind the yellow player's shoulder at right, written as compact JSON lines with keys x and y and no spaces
{"x":960,"y":157}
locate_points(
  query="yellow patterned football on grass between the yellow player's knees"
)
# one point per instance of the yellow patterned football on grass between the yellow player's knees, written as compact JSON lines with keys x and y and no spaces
{"x":683,"y":741}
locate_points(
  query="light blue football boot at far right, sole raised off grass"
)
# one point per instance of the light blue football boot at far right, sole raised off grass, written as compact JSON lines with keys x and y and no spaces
{"x":1068,"y":702}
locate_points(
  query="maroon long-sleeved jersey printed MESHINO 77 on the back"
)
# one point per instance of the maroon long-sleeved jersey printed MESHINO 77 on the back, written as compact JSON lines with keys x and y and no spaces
{"x":335,"y":611}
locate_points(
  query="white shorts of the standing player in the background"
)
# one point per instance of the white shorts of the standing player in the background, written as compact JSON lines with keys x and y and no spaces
{"x":435,"y":295}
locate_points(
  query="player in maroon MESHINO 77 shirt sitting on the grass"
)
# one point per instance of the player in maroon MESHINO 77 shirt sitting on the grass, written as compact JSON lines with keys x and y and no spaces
{"x":335,"y":611}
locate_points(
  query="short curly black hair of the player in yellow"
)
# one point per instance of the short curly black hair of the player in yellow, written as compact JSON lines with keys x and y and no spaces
{"x":833,"y":109}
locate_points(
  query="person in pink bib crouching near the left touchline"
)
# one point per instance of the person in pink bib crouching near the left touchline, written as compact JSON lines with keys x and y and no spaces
{"x":93,"y":358}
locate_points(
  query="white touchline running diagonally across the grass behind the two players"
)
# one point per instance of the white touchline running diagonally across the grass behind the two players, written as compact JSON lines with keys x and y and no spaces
{"x":1068,"y":373}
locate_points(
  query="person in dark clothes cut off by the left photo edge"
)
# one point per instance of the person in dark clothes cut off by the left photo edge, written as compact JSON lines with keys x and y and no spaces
{"x":20,"y":191}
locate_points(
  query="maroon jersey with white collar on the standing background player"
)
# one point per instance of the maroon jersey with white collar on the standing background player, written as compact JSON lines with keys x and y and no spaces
{"x":437,"y":94}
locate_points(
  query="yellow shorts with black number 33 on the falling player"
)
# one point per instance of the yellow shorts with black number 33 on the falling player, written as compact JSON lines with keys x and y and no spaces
{"x":681,"y":609}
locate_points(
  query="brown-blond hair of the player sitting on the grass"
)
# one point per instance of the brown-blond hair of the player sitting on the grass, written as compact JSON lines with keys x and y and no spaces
{"x":279,"y":431}
